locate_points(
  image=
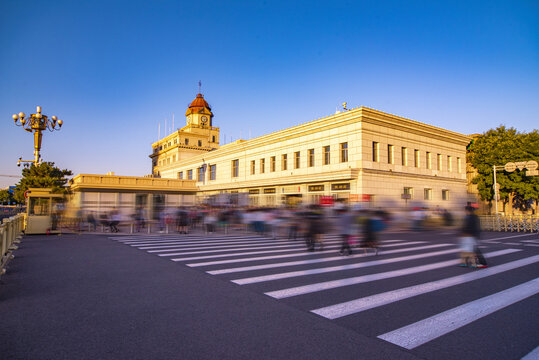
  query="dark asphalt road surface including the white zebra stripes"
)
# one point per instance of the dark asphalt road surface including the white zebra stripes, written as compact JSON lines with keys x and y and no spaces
{"x":242,"y":297}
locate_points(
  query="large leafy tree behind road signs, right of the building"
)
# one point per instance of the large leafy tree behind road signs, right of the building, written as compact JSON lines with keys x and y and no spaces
{"x":498,"y":147}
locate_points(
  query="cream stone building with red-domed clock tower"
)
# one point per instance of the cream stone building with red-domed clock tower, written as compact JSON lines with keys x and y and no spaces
{"x":357,"y":155}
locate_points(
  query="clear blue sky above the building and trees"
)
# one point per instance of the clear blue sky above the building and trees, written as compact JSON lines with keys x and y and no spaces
{"x":112,"y":70}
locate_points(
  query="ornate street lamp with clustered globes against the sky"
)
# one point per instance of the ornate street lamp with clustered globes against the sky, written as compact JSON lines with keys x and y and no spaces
{"x":36,"y":123}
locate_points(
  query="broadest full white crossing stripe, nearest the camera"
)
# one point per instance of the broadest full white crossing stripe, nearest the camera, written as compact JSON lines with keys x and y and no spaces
{"x":421,"y":332}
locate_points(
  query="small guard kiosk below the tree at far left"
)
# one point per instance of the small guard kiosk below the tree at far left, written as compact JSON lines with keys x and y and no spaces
{"x":42,"y":211}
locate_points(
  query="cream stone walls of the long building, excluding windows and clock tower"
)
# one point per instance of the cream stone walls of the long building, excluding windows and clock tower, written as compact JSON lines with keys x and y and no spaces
{"x":359,"y":174}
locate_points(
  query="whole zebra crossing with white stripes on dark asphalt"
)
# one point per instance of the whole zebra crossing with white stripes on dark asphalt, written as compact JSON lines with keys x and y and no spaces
{"x":350,"y":287}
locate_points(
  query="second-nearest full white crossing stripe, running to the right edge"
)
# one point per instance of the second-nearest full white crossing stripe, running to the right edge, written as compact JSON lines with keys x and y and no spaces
{"x":370,"y":302}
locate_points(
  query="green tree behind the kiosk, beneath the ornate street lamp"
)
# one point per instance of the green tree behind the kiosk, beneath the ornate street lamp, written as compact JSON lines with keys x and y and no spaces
{"x":44,"y":175}
